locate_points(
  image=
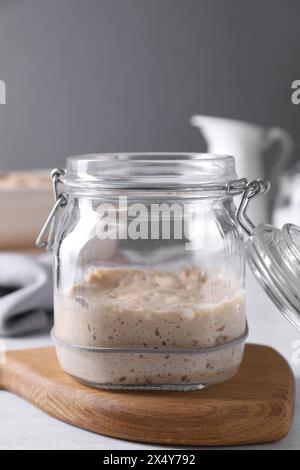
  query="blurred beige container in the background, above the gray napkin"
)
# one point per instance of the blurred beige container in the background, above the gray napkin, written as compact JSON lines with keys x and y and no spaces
{"x":26,"y":199}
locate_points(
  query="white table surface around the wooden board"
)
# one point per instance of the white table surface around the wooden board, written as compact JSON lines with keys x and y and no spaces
{"x":22,"y":426}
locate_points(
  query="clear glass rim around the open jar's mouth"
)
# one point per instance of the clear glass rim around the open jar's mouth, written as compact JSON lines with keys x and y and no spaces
{"x":147,"y":170}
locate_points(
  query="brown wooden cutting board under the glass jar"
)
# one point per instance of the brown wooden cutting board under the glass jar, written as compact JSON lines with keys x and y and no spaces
{"x":256,"y":406}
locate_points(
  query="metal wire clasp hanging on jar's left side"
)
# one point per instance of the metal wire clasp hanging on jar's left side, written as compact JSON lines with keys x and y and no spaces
{"x":45,"y":238}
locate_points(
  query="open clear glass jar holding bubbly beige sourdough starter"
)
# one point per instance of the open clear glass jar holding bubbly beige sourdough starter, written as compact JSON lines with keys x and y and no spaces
{"x":149,"y":270}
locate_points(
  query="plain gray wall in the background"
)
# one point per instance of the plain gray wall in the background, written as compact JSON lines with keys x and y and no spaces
{"x":126,"y":75}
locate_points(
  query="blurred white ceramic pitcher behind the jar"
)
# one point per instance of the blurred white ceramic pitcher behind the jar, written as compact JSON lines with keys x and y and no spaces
{"x":248,"y":143}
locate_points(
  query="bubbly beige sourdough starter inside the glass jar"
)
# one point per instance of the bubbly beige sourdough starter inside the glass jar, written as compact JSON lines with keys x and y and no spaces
{"x":155,"y":311}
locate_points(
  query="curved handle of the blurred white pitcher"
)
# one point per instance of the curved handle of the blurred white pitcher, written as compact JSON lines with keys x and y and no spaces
{"x":278,"y":135}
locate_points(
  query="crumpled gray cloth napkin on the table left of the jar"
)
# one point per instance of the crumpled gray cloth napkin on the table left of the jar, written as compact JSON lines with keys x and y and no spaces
{"x":26,"y":293}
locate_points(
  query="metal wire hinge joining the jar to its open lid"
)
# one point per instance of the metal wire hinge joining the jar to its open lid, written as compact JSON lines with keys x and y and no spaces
{"x":252,"y":189}
